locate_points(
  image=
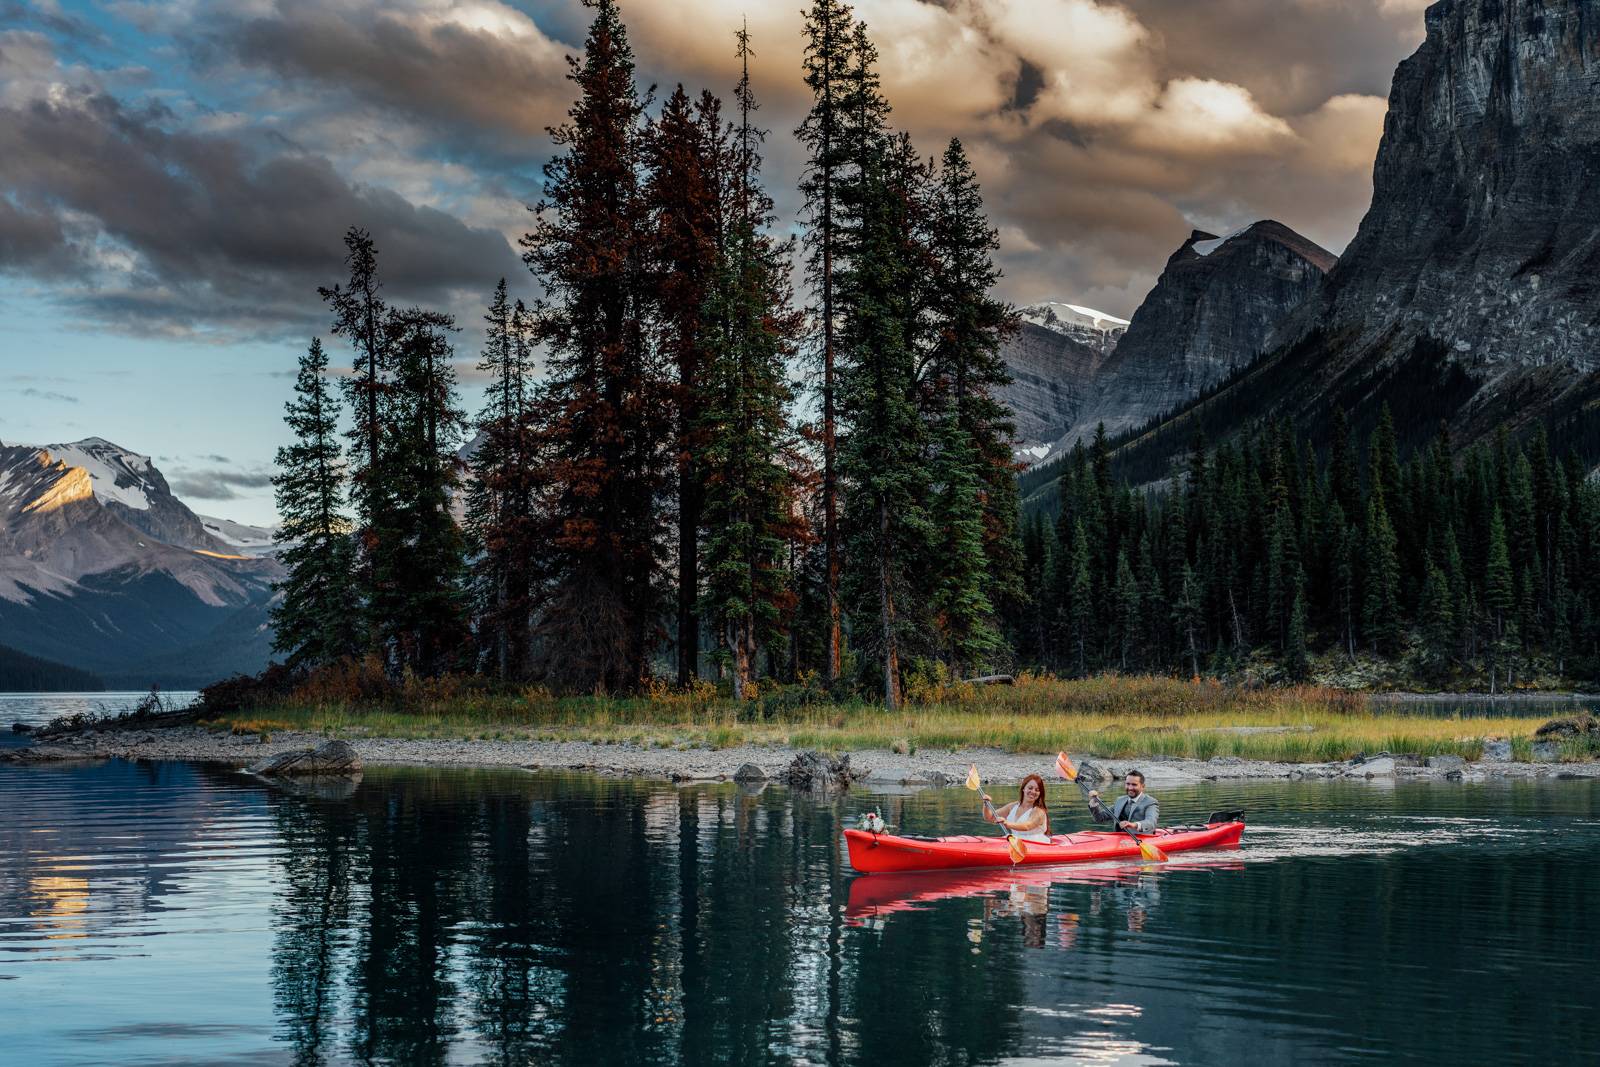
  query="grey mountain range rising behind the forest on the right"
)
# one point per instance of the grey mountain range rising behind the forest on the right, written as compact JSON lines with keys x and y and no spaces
{"x":1470,"y":297}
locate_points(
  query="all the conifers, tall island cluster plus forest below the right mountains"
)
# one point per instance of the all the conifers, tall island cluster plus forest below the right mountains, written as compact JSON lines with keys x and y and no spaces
{"x":682,"y":470}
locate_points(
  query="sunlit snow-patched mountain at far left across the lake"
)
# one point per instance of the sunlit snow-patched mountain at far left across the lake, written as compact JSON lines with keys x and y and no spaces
{"x":103,"y":569}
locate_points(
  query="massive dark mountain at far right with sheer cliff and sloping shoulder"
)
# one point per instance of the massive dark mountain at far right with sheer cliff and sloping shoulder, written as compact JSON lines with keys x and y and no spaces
{"x":1471,"y":294}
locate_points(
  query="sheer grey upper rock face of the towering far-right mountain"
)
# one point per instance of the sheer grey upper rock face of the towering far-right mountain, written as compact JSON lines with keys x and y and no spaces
{"x":1484,"y":233}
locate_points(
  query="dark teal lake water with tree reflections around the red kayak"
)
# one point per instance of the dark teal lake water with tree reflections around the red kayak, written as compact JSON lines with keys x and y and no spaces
{"x":175,"y":914}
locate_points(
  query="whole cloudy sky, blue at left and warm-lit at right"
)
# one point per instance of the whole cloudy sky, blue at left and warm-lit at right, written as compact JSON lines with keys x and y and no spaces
{"x":175,"y":178}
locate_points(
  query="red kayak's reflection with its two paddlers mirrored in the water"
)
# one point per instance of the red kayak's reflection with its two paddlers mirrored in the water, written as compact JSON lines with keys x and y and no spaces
{"x":1025,"y":895}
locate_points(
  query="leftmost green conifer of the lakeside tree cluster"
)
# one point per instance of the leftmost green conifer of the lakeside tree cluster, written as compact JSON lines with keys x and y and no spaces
{"x":314,"y":620}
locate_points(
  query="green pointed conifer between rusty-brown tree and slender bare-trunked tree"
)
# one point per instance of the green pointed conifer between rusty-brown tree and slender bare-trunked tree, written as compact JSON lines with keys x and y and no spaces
{"x":750,"y":492}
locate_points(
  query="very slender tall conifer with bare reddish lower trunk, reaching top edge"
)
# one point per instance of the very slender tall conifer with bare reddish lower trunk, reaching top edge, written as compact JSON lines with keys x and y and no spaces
{"x":828,"y":50}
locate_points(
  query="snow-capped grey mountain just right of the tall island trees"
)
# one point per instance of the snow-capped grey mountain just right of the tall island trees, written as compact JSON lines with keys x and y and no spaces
{"x":1054,"y":359}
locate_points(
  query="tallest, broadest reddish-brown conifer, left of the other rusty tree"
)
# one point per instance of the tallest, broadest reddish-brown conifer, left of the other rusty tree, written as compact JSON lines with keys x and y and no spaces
{"x":606,"y":414}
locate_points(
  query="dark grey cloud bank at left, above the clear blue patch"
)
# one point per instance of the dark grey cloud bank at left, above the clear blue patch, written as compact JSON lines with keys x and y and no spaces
{"x":170,"y":231}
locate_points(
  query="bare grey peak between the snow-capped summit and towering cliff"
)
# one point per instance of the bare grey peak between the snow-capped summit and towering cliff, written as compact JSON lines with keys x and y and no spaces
{"x":1210,"y":313}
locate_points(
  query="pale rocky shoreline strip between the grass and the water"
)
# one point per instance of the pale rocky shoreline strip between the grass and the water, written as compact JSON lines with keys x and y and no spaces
{"x":874,"y":767}
